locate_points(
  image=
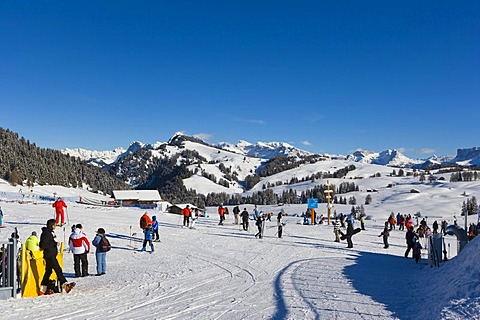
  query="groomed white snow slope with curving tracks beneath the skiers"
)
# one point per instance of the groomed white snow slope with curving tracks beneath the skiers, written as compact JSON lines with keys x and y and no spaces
{"x":223,"y":272}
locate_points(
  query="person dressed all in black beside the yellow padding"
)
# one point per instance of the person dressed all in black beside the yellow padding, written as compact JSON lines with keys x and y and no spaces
{"x":50,"y":251}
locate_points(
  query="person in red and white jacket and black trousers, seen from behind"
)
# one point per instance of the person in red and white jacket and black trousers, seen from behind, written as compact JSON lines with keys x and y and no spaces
{"x":80,"y":246}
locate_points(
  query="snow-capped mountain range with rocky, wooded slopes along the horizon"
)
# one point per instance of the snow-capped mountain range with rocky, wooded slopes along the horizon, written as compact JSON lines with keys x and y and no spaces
{"x":226,"y":167}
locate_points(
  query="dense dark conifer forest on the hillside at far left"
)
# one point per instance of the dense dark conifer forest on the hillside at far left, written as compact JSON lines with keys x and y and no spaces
{"x":22,"y":162}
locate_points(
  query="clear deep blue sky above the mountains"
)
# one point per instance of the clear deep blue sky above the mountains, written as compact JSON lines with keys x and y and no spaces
{"x":325,"y":76}
